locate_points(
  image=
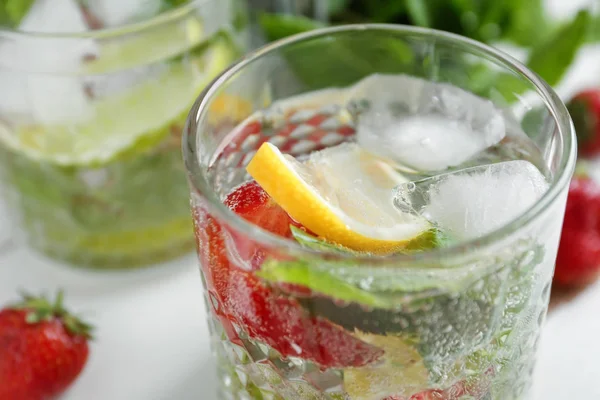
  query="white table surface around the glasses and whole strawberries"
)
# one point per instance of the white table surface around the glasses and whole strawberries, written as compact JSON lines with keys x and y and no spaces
{"x":152,"y":340}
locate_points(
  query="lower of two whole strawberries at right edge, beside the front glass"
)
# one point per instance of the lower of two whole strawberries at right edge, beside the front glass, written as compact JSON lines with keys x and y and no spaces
{"x":578,"y":260}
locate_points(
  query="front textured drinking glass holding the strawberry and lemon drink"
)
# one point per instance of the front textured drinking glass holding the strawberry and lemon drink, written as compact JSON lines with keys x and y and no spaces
{"x":466,"y":318}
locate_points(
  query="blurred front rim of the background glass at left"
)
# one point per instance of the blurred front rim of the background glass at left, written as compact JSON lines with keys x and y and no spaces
{"x":155,"y":21}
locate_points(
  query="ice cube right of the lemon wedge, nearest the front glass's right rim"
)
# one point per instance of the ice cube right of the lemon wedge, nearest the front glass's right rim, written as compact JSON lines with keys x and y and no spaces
{"x":472,"y":202}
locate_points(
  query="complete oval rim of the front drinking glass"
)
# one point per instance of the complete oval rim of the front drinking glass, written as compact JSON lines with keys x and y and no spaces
{"x":221,"y":212}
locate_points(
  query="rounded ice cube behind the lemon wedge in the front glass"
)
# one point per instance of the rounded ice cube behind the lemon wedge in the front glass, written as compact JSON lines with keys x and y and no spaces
{"x":424,"y":125}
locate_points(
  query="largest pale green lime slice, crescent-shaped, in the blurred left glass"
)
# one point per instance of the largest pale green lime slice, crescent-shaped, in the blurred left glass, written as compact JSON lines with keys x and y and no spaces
{"x":135,"y":119}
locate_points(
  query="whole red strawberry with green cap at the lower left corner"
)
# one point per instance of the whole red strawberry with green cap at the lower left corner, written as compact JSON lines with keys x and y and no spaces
{"x":42,"y":349}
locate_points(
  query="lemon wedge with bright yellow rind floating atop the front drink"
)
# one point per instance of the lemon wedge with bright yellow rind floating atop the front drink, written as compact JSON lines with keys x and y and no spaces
{"x":343,"y":194}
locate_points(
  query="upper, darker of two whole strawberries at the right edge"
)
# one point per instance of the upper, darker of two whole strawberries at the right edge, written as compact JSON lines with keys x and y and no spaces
{"x":585,"y":111}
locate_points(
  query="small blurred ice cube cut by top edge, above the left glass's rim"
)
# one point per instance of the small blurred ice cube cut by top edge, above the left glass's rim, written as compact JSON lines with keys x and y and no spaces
{"x":119,"y":12}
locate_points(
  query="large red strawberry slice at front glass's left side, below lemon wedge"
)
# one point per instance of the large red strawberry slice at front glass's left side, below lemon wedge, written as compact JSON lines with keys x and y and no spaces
{"x":268,"y":315}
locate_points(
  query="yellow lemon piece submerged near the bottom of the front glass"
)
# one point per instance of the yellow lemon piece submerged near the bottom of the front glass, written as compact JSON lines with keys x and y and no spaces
{"x":402,"y":371}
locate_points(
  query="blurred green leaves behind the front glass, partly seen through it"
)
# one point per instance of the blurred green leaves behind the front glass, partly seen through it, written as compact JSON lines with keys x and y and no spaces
{"x":552,"y":45}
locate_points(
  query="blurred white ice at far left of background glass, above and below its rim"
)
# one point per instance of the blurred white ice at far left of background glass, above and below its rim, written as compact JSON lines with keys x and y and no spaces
{"x":49,"y":97}
